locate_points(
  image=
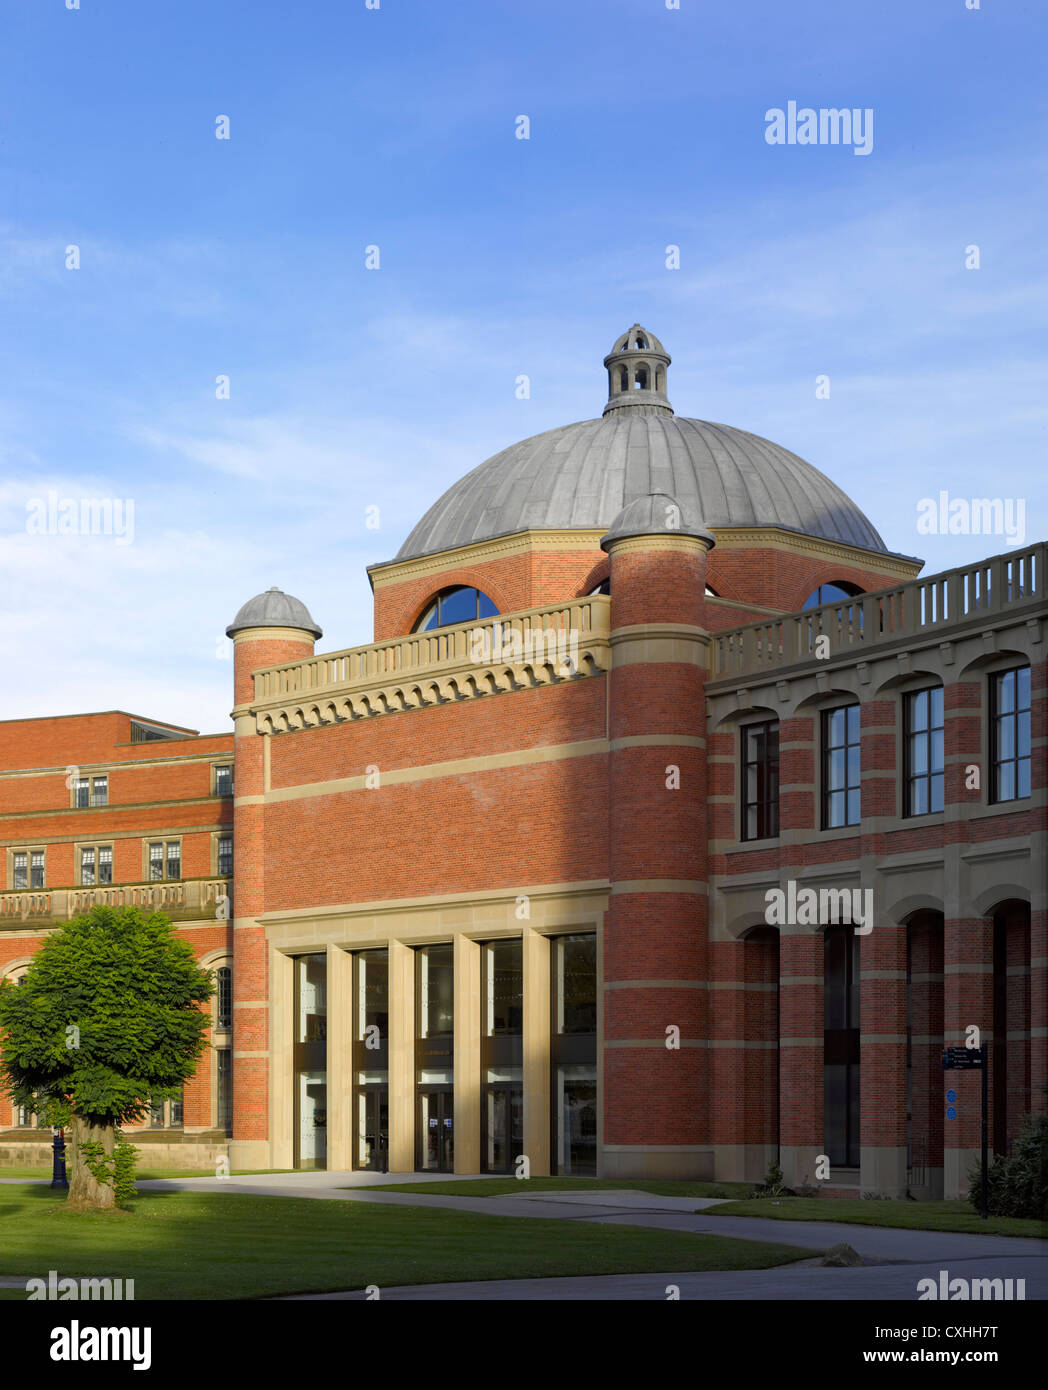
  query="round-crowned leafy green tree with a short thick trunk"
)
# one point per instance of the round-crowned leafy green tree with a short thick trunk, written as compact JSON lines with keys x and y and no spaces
{"x":106,"y":1022}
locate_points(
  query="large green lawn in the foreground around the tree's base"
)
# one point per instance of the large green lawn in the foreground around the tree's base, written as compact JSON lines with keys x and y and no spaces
{"x":218,"y":1246}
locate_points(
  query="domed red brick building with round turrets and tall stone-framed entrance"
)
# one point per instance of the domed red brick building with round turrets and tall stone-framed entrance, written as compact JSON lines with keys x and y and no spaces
{"x":671,"y":826}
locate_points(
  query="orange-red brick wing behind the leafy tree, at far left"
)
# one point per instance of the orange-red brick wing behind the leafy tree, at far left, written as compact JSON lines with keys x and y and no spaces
{"x":123,"y":811}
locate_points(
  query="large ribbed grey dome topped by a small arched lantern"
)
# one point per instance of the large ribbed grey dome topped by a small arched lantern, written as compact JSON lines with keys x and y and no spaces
{"x":582,"y":476}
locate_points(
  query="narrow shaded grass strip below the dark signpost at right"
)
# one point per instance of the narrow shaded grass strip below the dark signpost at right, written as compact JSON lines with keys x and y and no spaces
{"x":957,"y":1216}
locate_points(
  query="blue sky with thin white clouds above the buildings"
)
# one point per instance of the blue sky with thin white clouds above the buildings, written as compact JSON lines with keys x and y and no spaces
{"x":354,"y":389}
